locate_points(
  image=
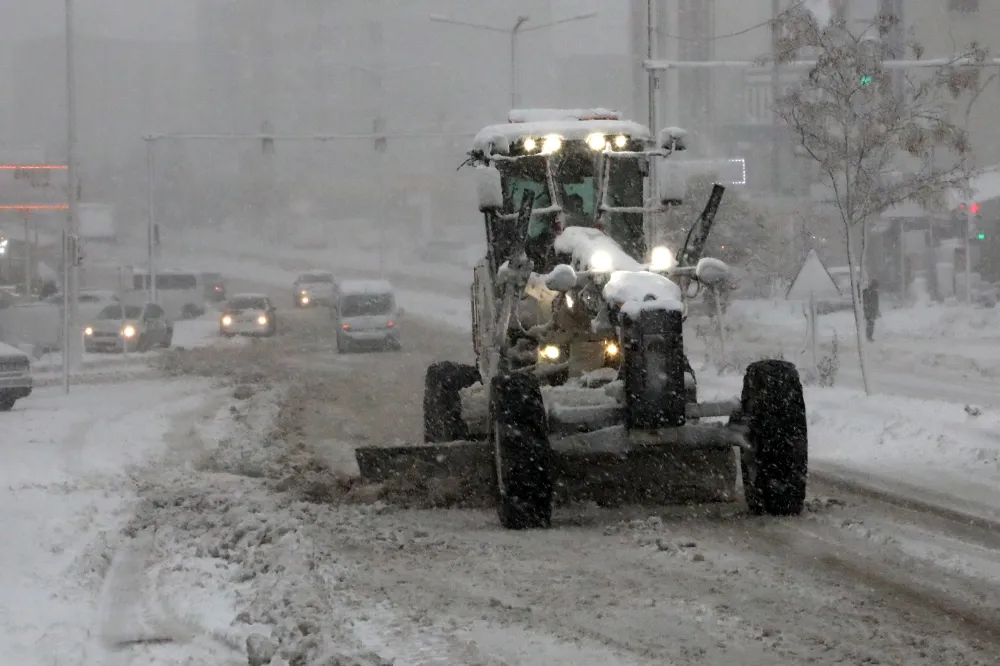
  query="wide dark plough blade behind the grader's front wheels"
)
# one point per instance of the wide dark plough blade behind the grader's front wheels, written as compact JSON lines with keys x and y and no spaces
{"x":620,"y":470}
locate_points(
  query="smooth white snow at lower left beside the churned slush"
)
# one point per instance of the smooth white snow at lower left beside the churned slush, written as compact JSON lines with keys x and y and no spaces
{"x":68,"y":472}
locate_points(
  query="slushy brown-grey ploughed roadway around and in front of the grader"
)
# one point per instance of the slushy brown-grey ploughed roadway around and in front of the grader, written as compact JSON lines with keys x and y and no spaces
{"x":321,"y":567}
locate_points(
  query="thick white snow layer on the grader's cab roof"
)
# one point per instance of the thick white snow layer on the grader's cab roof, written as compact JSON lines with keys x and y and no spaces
{"x":569,"y":124}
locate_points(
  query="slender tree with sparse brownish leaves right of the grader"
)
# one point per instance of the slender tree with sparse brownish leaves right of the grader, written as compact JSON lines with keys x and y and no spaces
{"x":873,"y":142}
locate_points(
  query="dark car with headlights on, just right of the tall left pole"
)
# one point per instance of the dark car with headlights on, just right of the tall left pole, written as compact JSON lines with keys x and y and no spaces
{"x":128,"y":328}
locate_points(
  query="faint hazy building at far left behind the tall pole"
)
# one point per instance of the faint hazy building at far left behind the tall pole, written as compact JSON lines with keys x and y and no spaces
{"x":125,"y":89}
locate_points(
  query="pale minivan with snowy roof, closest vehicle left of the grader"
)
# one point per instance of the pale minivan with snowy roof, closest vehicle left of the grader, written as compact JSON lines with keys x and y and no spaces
{"x":366,"y":314}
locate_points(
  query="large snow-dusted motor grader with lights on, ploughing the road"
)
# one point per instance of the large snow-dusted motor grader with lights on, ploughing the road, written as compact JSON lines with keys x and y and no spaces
{"x":582,"y":388}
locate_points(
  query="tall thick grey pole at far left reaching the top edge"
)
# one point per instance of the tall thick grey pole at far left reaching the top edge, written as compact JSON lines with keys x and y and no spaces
{"x":70,"y":278}
